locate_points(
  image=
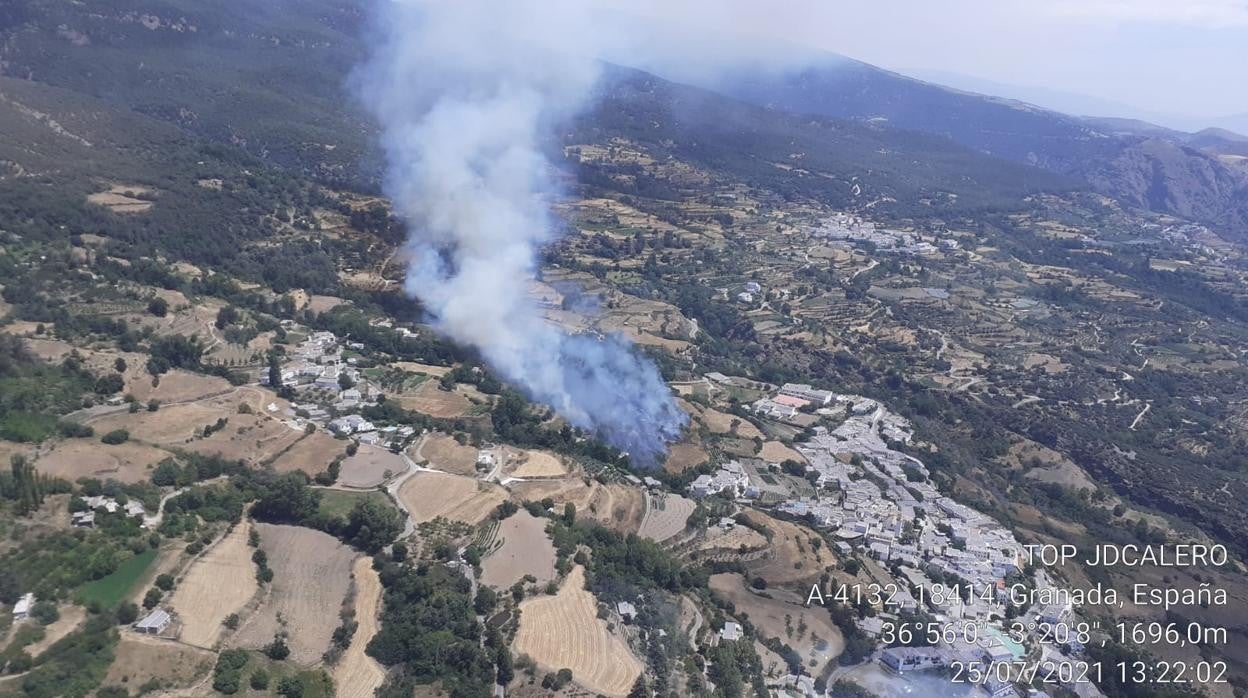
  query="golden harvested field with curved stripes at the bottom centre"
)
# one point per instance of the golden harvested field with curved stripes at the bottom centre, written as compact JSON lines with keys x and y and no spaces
{"x":565,"y":631}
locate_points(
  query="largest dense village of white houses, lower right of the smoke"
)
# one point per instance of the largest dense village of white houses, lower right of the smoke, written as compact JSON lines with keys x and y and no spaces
{"x":875,"y":500}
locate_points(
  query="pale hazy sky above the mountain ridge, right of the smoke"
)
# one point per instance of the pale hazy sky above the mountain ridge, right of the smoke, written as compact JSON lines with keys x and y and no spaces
{"x":1180,"y":58}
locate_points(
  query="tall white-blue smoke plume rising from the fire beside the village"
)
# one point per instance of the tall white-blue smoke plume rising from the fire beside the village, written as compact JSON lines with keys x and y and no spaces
{"x":465,"y":92}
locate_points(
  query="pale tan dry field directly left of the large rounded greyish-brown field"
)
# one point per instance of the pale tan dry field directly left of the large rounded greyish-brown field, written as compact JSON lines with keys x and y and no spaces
{"x":203,"y":600}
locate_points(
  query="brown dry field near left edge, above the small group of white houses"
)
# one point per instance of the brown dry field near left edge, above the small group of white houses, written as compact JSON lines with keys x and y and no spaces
{"x":87,"y":458}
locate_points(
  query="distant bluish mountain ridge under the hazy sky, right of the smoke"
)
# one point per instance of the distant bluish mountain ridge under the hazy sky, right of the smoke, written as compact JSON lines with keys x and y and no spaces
{"x":1199,"y":177}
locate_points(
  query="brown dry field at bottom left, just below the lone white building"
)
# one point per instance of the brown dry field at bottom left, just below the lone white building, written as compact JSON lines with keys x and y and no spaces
{"x":143,"y":659}
